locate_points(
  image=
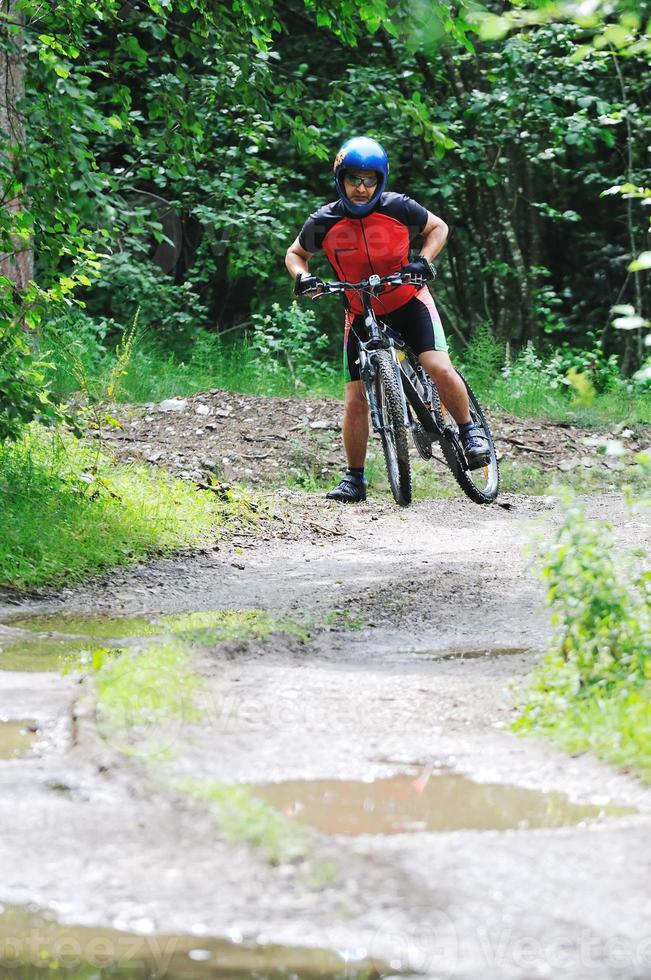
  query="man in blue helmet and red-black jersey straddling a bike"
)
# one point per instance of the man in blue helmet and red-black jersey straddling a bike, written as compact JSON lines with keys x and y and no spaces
{"x":369,"y":230}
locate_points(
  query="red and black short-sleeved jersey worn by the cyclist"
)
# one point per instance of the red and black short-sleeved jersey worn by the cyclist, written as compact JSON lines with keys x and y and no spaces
{"x":358,"y":247}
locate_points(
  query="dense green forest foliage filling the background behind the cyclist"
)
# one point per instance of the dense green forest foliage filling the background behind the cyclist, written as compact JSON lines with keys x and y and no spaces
{"x":173,"y":183}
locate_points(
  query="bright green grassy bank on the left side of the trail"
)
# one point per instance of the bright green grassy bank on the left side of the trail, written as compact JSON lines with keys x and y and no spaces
{"x":67,"y":511}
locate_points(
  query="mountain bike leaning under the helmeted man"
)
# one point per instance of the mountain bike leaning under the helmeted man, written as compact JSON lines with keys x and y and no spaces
{"x":402,"y":397}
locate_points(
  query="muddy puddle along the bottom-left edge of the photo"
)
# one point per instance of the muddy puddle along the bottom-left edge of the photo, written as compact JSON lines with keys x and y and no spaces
{"x":33,"y":945}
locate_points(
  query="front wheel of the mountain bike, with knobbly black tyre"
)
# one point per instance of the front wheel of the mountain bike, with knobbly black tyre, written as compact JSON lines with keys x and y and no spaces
{"x":393,"y":431}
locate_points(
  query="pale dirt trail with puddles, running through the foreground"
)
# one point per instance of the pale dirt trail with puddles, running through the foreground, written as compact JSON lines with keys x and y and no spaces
{"x":101,"y":840}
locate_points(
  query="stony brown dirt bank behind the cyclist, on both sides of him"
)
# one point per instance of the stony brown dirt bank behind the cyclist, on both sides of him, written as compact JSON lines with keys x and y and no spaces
{"x":221,"y":432}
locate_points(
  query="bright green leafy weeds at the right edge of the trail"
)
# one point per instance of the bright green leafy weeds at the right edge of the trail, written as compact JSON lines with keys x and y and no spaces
{"x":594,"y":689}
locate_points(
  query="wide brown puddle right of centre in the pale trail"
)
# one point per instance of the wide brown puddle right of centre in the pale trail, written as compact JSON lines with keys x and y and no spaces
{"x":428,"y":802}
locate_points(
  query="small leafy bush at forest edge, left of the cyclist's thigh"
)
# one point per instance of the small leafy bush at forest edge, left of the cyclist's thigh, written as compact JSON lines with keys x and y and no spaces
{"x":289,"y":338}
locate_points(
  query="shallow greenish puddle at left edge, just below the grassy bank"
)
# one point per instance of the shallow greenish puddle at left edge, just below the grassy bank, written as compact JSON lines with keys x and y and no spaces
{"x":50,"y":642}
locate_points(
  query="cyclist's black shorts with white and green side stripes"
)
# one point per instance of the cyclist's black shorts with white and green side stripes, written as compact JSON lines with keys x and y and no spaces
{"x":417,"y":322}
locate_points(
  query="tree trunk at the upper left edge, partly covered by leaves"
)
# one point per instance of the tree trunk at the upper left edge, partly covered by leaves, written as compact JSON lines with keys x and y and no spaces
{"x":17,"y":264}
